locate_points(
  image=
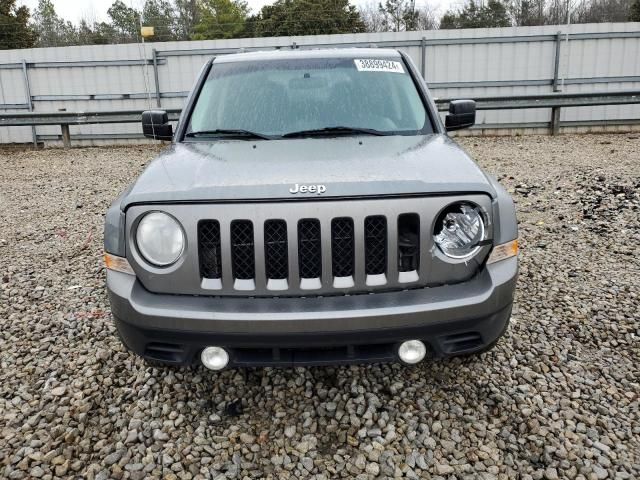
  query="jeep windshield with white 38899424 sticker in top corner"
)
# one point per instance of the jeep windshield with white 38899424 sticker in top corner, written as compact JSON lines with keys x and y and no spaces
{"x":336,"y":95}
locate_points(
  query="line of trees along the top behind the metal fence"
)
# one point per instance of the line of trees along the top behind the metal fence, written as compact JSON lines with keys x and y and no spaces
{"x":219,"y":19}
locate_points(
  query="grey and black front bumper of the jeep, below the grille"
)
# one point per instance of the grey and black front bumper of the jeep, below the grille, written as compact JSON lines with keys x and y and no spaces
{"x":452,"y":320}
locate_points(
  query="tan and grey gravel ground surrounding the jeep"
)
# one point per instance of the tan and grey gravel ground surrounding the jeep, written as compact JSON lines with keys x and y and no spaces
{"x":557,"y":398}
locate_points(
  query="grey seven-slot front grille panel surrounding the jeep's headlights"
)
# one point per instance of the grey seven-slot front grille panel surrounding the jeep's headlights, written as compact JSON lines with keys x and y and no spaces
{"x":305,"y":248}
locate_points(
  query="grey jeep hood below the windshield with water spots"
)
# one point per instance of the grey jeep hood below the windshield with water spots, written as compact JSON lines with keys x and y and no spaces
{"x":241,"y":170}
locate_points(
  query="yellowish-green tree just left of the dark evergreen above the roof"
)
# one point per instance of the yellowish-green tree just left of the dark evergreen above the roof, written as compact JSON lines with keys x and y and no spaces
{"x":220,"y":19}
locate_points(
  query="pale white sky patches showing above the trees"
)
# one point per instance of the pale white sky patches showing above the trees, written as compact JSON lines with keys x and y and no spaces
{"x":75,"y":10}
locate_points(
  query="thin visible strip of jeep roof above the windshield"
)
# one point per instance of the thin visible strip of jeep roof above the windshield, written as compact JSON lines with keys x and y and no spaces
{"x":288,"y":54}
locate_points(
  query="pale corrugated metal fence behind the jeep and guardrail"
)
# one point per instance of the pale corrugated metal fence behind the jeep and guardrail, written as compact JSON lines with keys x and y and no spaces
{"x":456,"y":64}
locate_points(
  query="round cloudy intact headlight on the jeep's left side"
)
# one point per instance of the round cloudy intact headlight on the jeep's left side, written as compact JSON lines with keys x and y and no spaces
{"x":160,"y":239}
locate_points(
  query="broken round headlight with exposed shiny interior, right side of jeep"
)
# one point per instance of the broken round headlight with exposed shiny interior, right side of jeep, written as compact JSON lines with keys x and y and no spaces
{"x":459,"y":230}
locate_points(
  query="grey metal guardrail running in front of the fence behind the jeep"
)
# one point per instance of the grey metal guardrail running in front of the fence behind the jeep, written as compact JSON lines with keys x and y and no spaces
{"x":555,"y":101}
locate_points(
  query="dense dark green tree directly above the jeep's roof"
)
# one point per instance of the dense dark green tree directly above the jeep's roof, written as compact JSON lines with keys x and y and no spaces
{"x":305,"y":17}
